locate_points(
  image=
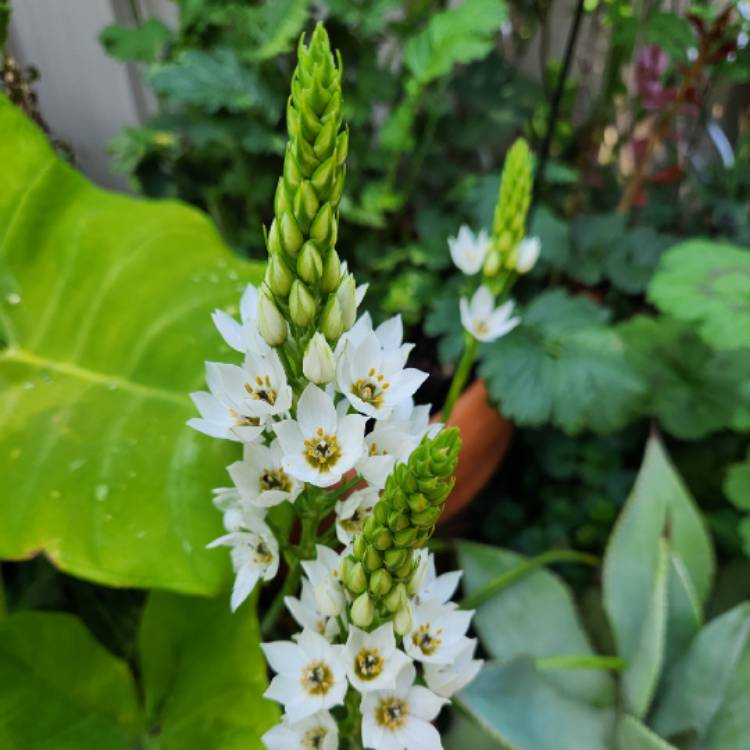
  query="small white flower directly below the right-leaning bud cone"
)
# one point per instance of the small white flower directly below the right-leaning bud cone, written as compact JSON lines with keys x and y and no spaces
{"x":372,"y":660}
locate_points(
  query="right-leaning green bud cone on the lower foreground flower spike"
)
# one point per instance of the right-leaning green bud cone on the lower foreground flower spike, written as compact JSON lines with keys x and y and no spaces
{"x":380,"y":570}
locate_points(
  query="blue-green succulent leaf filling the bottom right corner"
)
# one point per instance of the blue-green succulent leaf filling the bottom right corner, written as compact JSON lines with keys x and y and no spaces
{"x":708,"y":691}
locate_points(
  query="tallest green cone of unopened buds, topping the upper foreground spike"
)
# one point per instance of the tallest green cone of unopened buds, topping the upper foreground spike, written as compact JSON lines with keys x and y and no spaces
{"x":305,"y":281}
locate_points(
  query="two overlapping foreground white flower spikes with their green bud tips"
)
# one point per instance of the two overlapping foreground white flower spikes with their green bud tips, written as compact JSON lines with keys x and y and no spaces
{"x":323,"y":405}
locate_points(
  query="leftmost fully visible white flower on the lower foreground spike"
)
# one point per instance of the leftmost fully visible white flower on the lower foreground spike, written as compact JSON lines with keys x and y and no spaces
{"x":310,"y":674}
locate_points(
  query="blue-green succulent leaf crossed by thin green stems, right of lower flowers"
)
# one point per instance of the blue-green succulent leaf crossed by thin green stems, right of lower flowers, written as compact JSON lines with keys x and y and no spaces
{"x":535,"y":616}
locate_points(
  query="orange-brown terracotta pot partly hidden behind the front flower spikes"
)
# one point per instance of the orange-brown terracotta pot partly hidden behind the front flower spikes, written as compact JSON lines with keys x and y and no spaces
{"x":486,"y":435}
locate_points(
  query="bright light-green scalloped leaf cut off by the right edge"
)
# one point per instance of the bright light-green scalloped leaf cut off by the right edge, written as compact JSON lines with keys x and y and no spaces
{"x":708,"y":284}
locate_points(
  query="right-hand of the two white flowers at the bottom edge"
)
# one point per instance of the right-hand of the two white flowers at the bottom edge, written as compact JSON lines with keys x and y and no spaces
{"x":399,"y":719}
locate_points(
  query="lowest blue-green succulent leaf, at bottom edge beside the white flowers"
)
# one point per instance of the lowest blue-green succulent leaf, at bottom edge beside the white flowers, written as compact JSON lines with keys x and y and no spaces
{"x":524,"y":712}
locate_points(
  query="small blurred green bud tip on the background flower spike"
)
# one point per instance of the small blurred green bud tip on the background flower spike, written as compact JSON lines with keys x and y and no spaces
{"x":509,"y":225}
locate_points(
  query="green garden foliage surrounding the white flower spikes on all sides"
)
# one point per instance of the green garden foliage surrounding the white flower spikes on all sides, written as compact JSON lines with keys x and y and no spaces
{"x":635,"y":320}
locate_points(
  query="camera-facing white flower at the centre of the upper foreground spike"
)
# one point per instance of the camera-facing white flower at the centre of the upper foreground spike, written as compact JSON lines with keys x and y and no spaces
{"x":319,"y":447}
